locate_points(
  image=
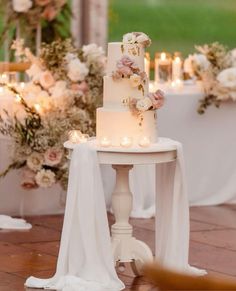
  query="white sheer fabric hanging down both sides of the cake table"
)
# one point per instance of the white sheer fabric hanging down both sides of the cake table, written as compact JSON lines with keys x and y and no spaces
{"x":85,"y":259}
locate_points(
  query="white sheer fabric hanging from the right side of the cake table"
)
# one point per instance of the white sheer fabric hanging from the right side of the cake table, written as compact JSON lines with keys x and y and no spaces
{"x":172,"y":215}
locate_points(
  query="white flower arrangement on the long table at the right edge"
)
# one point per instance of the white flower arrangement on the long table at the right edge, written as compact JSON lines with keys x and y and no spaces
{"x":215,"y":65}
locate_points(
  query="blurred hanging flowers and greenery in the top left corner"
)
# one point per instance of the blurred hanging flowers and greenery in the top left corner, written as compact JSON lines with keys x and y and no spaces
{"x":25,"y":15}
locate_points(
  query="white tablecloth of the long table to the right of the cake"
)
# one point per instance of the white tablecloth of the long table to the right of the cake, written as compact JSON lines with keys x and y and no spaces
{"x":209,"y":143}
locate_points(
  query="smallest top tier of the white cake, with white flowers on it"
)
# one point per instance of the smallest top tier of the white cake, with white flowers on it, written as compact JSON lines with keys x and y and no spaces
{"x":132,"y":46}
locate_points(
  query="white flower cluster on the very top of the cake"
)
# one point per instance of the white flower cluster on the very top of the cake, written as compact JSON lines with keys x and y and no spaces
{"x":136,"y":39}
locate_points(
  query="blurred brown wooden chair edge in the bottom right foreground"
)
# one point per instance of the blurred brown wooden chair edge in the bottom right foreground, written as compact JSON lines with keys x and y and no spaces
{"x":166,"y":279}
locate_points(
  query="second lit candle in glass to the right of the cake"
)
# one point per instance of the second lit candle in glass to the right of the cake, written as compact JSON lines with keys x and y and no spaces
{"x":162,"y":67}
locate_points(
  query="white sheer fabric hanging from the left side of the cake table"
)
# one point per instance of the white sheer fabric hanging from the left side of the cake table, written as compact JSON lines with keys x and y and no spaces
{"x":85,"y":260}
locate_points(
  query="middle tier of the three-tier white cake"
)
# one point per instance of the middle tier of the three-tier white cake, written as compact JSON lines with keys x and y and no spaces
{"x":116,"y":91}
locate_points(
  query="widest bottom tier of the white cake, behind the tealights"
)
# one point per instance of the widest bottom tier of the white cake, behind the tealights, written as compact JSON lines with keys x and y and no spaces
{"x":114,"y":125}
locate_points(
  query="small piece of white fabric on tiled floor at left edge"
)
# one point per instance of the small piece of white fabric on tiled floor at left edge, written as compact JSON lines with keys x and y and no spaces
{"x":8,"y":222}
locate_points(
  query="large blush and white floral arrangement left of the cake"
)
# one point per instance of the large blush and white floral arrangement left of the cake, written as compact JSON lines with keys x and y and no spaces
{"x":64,"y":90}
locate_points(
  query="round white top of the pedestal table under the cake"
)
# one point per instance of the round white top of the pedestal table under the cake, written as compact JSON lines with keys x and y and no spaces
{"x":163,"y":151}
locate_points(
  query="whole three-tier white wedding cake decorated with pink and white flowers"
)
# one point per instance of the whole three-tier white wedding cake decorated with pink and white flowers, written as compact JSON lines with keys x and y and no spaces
{"x":128,"y":115}
